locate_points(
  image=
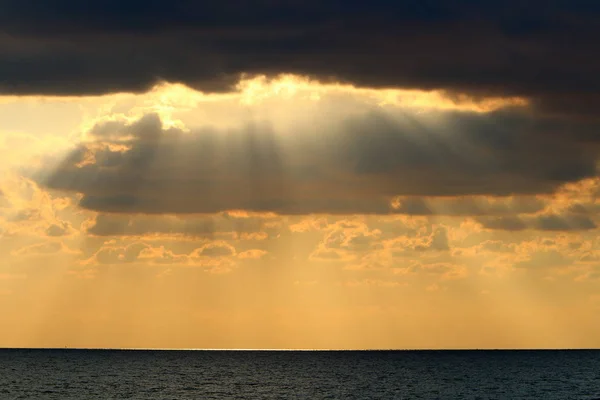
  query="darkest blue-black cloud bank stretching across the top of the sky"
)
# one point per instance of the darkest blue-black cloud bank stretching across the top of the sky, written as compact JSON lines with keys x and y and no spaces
{"x":546,"y":50}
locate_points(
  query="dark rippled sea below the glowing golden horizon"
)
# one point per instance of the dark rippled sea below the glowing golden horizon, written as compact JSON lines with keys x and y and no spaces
{"x":200,"y":374}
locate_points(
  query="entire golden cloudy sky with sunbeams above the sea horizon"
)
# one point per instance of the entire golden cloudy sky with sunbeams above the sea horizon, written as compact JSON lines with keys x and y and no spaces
{"x":299,"y":174}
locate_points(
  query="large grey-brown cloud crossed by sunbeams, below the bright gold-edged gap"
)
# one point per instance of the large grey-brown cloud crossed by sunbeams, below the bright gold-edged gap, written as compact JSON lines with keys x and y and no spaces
{"x":355,"y":166}
